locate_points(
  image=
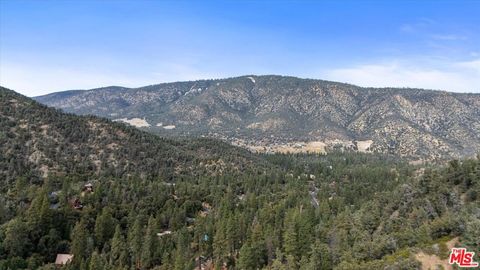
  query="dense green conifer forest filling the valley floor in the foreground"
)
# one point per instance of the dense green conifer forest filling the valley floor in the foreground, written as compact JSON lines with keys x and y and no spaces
{"x":372,"y":213}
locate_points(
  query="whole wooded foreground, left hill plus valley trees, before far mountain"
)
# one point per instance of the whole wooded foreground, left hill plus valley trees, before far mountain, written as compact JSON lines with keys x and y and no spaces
{"x":185,"y":204}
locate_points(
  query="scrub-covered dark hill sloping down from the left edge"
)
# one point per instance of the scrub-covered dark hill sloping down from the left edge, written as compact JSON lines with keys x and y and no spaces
{"x":36,"y":141}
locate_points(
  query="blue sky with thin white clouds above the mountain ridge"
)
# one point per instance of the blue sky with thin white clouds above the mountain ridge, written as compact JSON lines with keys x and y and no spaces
{"x":48,"y":46}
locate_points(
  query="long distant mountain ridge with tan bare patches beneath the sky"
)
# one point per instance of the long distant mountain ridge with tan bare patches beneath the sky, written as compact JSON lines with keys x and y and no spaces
{"x":276,"y":113}
